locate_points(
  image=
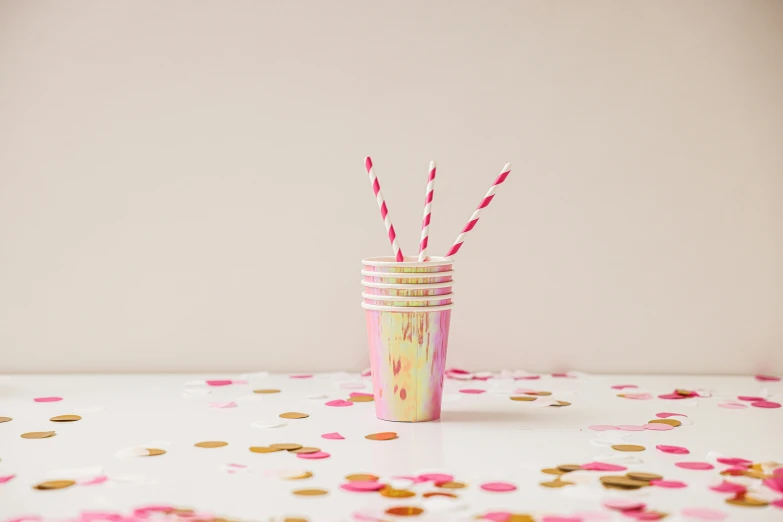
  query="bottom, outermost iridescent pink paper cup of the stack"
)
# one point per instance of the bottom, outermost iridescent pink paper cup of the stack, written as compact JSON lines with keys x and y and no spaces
{"x":407,"y":359}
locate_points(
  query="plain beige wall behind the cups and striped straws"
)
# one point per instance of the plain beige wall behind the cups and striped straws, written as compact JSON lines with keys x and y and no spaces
{"x":181,"y":182}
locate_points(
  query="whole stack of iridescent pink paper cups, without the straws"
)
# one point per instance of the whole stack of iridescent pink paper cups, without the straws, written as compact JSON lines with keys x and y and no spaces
{"x":408,"y":312}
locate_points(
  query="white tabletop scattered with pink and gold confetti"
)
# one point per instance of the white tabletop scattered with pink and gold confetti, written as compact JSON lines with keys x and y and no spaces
{"x":480,"y":438}
